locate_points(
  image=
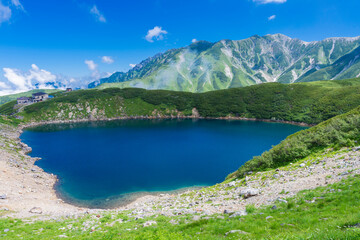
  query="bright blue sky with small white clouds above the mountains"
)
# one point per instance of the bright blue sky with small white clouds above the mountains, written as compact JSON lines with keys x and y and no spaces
{"x":55,"y":39}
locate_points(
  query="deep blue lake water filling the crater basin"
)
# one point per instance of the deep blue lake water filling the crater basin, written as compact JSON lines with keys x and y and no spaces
{"x":98,"y":164}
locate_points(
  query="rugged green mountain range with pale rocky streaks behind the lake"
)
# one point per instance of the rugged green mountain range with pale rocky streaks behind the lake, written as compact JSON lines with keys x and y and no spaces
{"x":205,"y":66}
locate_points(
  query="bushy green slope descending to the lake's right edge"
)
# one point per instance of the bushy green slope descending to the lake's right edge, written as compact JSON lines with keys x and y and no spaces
{"x":340,"y":131}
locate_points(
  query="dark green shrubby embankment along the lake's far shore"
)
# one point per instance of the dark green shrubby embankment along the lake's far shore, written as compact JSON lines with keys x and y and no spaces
{"x":311,"y":103}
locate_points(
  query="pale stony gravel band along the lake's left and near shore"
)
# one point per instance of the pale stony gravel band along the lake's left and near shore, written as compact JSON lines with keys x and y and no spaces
{"x":28,"y":191}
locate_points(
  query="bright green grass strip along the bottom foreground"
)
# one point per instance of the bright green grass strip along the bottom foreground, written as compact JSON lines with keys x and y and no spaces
{"x":330,"y":212}
